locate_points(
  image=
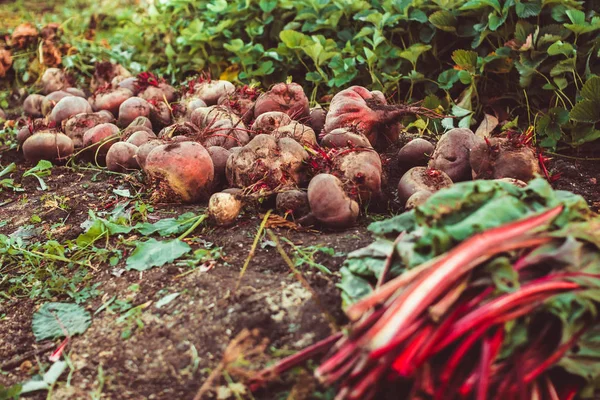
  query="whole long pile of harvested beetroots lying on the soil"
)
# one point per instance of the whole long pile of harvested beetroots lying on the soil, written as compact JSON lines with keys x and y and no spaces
{"x":322,"y":166}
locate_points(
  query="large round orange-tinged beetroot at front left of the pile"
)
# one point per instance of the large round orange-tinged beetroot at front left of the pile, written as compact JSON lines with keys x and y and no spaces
{"x":181,"y":171}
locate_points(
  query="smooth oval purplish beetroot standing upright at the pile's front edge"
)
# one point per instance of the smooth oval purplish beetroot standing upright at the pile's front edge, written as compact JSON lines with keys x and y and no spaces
{"x":329,"y":204}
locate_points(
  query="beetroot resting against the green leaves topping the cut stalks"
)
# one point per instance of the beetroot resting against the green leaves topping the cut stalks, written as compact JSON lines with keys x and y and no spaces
{"x":419,"y":179}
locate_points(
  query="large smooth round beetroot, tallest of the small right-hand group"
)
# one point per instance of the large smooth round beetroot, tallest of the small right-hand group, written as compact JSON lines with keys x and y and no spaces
{"x":452,"y":153}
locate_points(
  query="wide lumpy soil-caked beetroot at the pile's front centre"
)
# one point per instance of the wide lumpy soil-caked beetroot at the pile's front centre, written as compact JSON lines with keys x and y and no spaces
{"x":267,"y":162}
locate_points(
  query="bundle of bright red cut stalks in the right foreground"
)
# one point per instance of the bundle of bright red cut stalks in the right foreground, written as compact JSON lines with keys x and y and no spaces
{"x":444,"y":330}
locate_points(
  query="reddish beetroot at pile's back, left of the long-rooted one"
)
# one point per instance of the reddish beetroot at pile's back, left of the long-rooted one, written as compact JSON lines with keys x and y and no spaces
{"x":285,"y":97}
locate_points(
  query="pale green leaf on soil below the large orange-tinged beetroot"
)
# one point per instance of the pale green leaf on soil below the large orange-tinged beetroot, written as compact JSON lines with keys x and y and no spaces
{"x":154,"y":253}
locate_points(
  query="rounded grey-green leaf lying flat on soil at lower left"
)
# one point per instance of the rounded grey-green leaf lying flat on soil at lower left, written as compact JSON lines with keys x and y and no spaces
{"x":55,"y":320}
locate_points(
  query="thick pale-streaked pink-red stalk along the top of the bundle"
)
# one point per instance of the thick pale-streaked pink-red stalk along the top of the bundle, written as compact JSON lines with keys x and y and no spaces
{"x":450,"y":268}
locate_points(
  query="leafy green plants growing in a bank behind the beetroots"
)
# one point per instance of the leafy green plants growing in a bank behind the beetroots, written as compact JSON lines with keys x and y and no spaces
{"x":525,"y":57}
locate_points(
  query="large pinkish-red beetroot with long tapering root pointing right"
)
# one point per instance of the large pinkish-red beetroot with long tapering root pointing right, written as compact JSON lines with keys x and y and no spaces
{"x":368,"y":113}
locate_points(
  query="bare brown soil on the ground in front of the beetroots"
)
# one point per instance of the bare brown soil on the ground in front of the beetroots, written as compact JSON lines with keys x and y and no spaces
{"x":172,"y":350}
